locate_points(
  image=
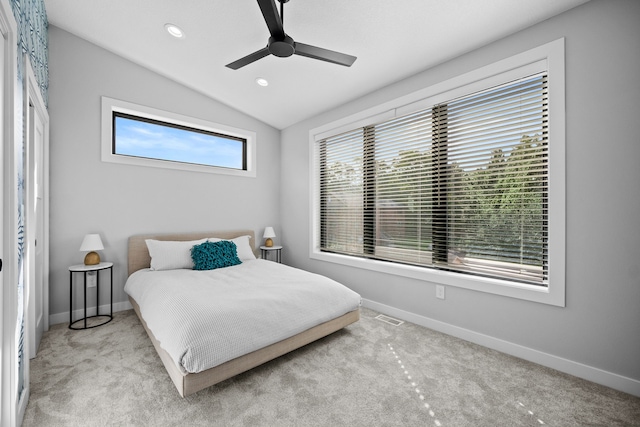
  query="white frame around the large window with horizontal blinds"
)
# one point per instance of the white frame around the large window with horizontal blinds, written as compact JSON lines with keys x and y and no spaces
{"x":548,"y":57}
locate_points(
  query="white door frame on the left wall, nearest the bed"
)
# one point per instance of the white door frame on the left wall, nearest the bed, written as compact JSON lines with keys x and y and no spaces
{"x":33,"y":98}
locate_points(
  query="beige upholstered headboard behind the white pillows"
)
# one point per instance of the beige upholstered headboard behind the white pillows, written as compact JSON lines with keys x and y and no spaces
{"x":139,"y":258}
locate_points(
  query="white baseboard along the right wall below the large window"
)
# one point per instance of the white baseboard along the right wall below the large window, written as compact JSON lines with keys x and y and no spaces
{"x":596,"y":375}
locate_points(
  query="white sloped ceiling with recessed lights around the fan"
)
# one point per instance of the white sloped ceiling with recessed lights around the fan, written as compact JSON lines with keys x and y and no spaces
{"x":392,"y":40}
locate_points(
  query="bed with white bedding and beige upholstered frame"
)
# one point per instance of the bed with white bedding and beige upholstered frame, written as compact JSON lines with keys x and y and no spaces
{"x":173,"y":305}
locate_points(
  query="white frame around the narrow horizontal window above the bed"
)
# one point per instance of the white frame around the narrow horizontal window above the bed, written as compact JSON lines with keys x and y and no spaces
{"x":110,"y":105}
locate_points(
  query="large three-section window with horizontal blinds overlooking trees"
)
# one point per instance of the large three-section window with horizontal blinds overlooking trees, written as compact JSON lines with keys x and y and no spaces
{"x":459,"y":186}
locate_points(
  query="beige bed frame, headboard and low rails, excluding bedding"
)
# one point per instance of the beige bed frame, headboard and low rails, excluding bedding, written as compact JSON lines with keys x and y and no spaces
{"x":188,"y":383}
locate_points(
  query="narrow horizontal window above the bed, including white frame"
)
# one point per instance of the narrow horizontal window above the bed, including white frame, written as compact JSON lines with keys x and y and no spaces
{"x":138,"y":135}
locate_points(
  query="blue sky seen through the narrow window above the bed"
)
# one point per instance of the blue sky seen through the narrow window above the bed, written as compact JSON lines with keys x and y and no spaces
{"x":167,"y":142}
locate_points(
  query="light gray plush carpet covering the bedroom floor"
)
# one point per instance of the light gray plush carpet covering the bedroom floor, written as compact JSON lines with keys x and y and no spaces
{"x":369,"y":374}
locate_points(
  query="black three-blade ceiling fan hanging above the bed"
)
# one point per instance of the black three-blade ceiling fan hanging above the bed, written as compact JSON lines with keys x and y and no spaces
{"x":281,"y":45}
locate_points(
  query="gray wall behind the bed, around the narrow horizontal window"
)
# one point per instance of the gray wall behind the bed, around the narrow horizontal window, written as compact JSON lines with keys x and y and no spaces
{"x":89,"y":196}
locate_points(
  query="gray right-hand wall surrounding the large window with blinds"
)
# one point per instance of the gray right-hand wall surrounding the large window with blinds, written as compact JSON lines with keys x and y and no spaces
{"x":600,"y":325}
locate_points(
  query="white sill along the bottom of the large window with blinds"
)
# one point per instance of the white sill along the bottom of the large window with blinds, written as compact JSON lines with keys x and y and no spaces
{"x":539,"y":294}
